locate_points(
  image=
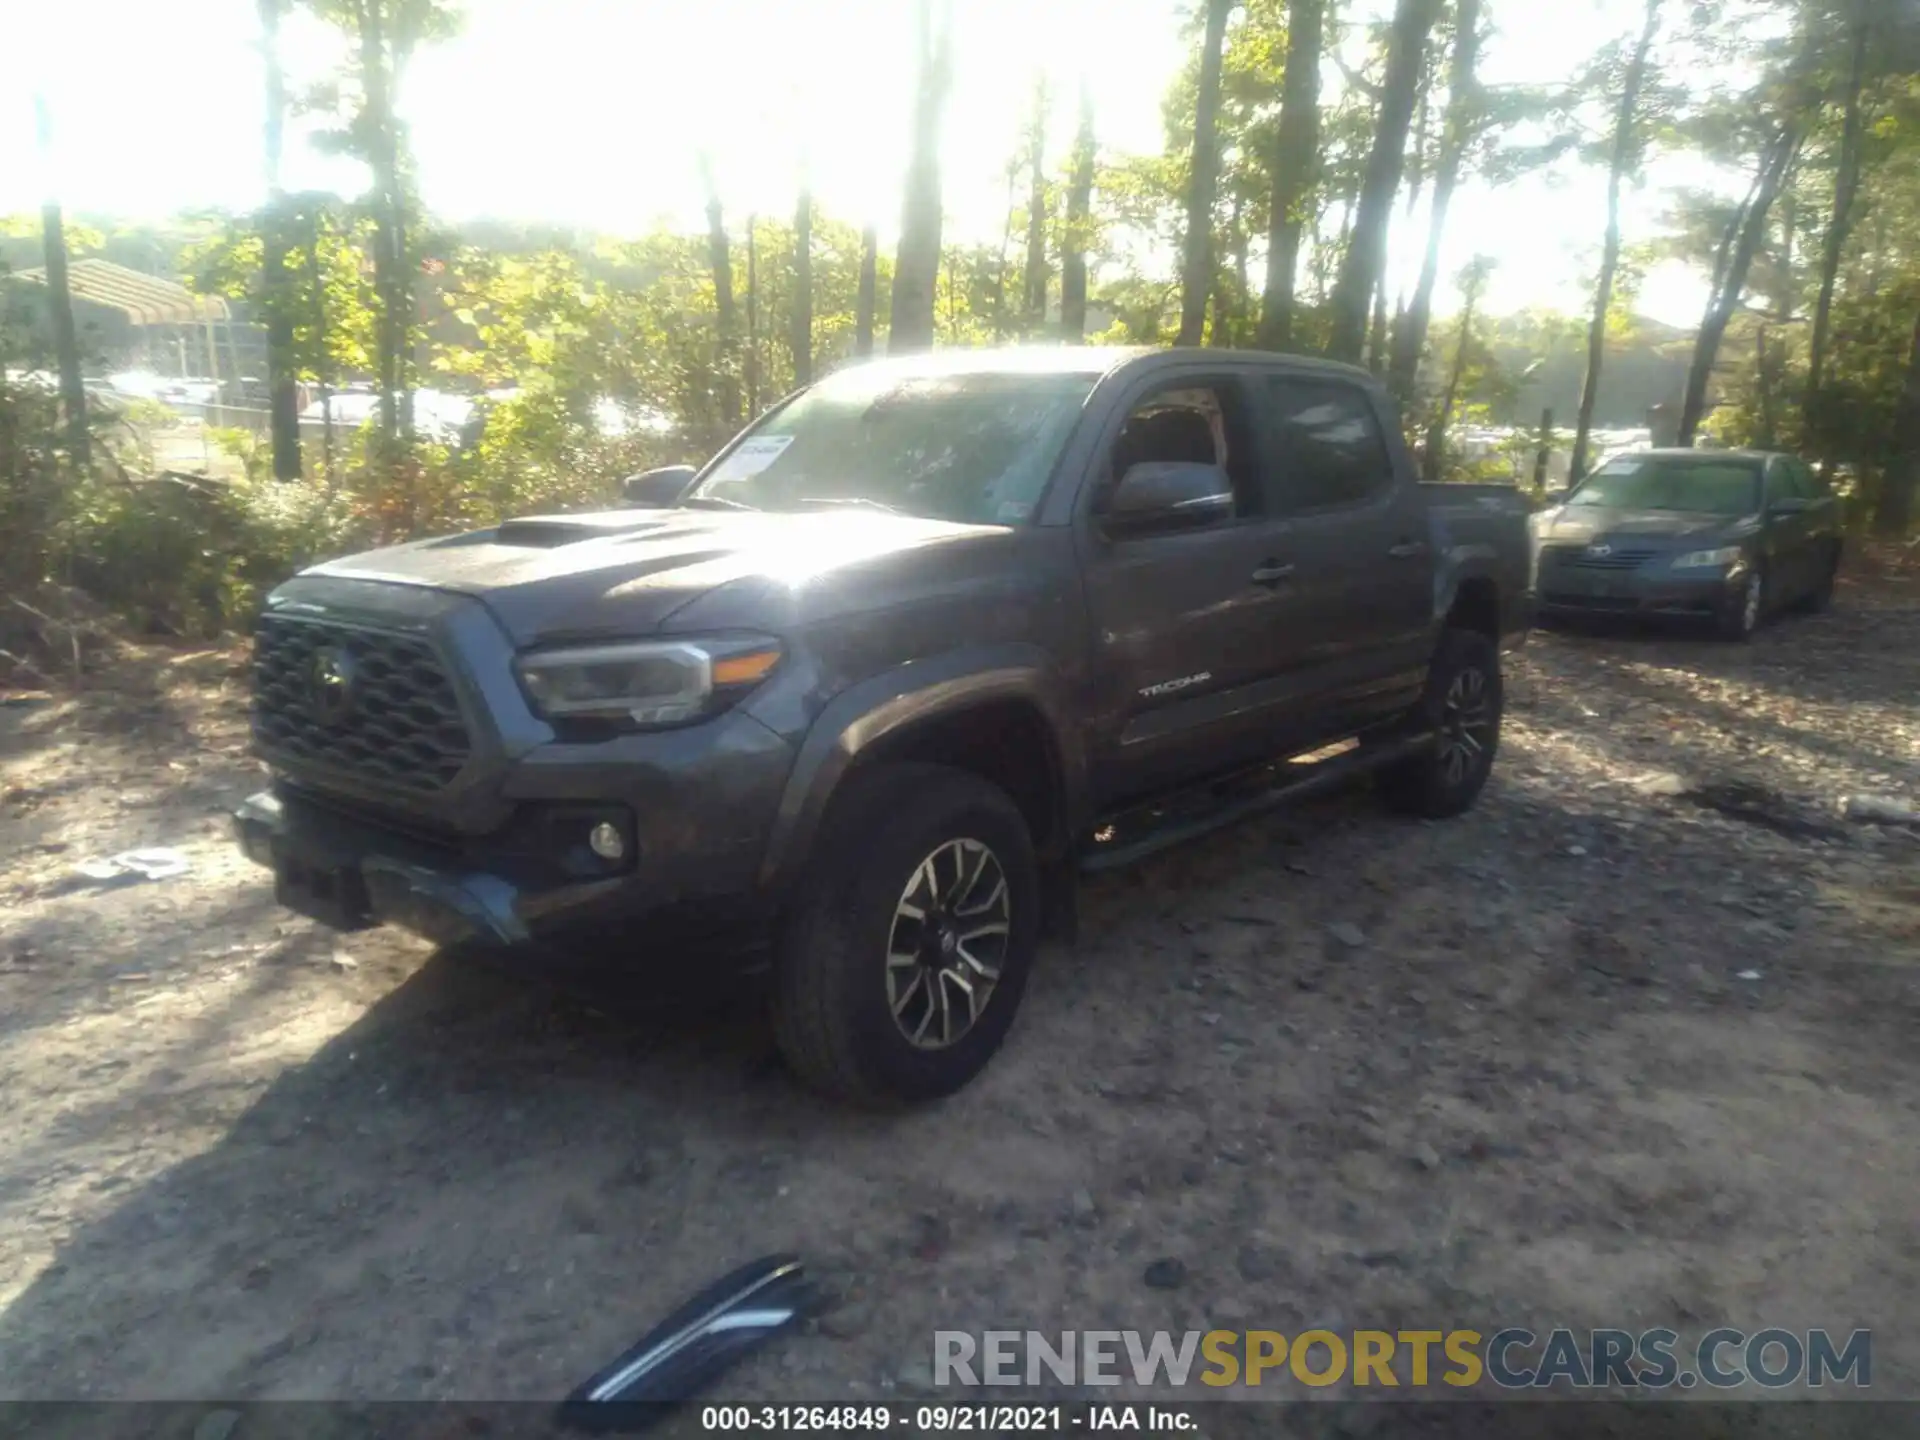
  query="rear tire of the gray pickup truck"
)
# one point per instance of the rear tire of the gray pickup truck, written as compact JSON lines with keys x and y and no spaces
{"x":1462,"y":708}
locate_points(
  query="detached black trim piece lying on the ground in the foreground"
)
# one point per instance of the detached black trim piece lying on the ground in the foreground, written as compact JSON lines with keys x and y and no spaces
{"x":692,"y":1347}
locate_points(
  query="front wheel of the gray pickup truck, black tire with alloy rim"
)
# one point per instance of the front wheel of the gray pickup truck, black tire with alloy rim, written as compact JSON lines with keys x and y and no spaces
{"x":909,"y":948}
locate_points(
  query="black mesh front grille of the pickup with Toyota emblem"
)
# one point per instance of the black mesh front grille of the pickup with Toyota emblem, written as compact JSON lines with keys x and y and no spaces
{"x":400,"y":723}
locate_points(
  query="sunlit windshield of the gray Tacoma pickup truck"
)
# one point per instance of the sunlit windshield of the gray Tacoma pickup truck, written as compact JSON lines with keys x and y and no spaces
{"x":969,"y":448}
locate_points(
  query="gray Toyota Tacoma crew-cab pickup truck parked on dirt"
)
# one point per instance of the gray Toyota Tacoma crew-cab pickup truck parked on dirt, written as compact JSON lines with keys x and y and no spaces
{"x":915,"y":650}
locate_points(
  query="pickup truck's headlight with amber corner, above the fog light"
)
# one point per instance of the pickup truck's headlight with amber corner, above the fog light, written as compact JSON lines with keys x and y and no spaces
{"x":648,"y":684}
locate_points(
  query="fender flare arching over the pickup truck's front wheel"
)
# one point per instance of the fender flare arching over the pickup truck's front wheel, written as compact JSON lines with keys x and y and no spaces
{"x":907,"y":696}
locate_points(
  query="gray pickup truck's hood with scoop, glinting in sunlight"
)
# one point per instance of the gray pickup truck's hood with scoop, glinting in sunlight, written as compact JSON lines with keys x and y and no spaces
{"x":627,"y":573}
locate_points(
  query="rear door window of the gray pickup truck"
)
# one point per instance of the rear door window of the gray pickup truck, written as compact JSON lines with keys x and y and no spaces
{"x":1326,"y":443}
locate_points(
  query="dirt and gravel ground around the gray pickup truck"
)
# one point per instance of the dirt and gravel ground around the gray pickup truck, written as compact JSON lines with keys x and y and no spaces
{"x":1629,"y":1045}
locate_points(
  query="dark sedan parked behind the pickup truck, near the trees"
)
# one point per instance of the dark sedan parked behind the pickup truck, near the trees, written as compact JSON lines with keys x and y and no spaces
{"x":1723,"y":537}
